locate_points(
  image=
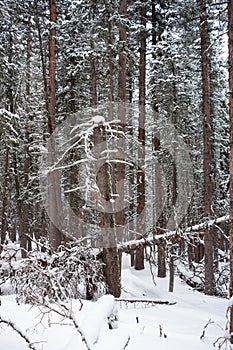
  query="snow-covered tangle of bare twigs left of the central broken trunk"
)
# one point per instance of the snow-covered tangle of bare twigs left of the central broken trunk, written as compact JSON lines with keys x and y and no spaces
{"x":73,"y":272}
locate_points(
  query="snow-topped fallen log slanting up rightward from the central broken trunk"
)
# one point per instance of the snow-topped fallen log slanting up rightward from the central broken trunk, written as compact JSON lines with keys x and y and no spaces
{"x":149,"y":240}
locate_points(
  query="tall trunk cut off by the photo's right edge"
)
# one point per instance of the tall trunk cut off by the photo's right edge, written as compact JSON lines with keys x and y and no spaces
{"x":230,"y":48}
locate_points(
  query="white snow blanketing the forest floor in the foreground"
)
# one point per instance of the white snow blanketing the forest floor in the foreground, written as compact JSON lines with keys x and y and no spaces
{"x":163,"y":327}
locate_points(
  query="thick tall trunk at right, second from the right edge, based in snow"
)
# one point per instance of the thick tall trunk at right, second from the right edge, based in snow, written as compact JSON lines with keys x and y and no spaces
{"x":208,"y":239}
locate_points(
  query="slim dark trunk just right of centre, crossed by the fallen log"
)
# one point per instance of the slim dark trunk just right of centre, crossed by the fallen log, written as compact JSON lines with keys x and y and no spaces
{"x":139,"y":261}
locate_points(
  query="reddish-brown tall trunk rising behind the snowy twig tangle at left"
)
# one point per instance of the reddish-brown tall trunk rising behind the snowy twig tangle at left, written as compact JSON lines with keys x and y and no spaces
{"x":54,"y":194}
